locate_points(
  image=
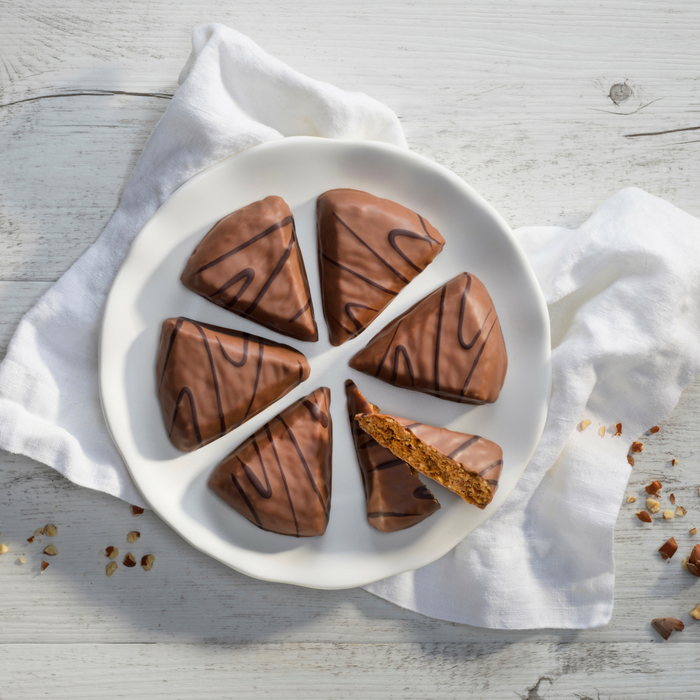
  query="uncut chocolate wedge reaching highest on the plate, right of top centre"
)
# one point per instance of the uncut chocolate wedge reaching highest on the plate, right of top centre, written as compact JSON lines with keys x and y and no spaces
{"x":369,"y":250}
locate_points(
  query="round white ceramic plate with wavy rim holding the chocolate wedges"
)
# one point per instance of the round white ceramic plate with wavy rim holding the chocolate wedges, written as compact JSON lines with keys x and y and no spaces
{"x":147,"y":290}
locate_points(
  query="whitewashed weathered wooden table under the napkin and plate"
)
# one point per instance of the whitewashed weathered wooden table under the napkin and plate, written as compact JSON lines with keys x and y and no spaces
{"x":547,"y":108}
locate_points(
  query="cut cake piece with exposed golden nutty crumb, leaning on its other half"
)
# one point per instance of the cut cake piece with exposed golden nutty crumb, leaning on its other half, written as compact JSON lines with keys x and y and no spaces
{"x":467,"y":465}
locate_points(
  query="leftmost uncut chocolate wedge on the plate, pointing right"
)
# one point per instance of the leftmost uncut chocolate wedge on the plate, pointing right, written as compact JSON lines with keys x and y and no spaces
{"x":211,"y":379}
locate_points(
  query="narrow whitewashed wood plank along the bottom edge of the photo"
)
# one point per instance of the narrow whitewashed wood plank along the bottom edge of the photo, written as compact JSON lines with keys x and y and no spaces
{"x":345,"y":671}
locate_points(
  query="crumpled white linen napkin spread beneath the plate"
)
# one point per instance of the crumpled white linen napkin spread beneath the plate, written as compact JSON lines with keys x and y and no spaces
{"x":624,"y":298}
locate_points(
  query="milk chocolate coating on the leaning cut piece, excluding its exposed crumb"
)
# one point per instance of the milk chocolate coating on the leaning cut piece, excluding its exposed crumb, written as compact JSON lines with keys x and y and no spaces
{"x":474,"y":453}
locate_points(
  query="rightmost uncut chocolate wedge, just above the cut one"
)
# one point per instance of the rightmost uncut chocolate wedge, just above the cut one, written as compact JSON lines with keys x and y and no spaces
{"x":449,"y":345}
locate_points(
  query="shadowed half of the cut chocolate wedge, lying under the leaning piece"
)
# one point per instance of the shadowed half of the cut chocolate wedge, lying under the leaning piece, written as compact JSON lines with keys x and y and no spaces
{"x":396,"y":498}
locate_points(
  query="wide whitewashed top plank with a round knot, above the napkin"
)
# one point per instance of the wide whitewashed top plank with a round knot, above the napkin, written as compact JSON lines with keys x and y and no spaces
{"x":515,"y":102}
